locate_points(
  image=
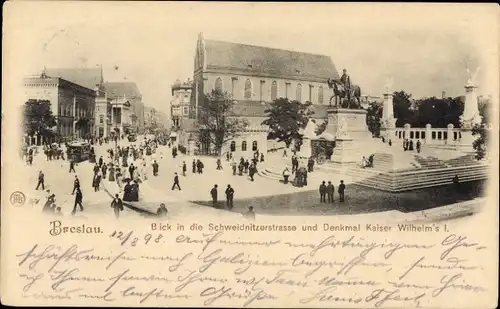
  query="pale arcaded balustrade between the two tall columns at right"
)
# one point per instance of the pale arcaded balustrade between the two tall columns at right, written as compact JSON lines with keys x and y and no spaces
{"x":429,"y":135}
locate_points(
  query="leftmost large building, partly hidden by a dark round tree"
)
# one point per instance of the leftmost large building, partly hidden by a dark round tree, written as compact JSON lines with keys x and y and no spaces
{"x":73,"y":105}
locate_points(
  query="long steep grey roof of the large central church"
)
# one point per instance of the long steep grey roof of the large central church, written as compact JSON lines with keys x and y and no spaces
{"x":268,"y":62}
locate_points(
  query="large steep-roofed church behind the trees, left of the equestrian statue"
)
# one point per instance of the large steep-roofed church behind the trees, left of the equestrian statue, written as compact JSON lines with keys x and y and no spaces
{"x":254,"y":76}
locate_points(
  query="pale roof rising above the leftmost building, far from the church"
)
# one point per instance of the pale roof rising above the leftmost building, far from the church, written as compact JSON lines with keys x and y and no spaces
{"x":86,"y":77}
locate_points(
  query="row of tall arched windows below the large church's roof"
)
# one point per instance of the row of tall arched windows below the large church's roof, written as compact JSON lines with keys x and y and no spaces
{"x":274,"y":90}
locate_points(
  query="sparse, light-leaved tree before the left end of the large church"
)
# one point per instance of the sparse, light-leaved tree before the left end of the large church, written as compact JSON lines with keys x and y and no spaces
{"x":218,"y":122}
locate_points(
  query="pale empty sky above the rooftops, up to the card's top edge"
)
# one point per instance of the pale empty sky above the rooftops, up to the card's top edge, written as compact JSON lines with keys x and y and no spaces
{"x":425,"y":48}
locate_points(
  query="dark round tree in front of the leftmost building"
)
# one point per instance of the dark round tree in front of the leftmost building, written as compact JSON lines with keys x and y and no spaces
{"x":38,"y":118}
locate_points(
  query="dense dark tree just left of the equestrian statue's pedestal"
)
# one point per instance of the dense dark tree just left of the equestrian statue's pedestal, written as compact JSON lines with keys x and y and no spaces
{"x":286,"y":118}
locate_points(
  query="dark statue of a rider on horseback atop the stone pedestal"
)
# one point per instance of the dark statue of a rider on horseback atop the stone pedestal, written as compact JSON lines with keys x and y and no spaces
{"x":346,"y":94}
